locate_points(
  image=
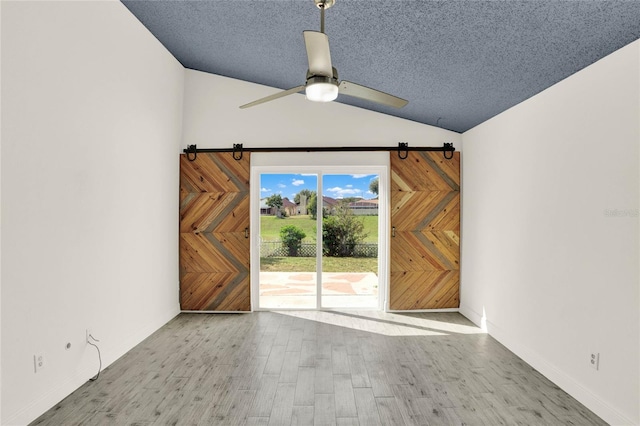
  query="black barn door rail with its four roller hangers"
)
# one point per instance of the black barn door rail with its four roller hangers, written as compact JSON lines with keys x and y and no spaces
{"x":402,"y":149}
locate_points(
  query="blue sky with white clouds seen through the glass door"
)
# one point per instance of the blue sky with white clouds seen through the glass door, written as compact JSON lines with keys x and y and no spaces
{"x":335,"y":186}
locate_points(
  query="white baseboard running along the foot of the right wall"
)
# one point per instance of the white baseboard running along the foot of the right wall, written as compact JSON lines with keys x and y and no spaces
{"x":560,"y":378}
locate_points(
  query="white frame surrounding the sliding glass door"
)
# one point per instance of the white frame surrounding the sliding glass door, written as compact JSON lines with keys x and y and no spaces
{"x":321,"y":164}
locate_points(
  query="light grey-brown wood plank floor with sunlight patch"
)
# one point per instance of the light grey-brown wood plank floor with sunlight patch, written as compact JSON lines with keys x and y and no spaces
{"x":317,"y":368}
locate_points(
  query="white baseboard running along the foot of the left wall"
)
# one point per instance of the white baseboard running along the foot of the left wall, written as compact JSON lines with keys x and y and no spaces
{"x":36,"y":408}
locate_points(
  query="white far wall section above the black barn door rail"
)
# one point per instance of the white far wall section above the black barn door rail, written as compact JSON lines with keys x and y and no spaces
{"x":212,"y":119}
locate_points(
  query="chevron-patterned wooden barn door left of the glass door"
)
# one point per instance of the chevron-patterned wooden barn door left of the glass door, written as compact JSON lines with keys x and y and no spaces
{"x":214,"y":224}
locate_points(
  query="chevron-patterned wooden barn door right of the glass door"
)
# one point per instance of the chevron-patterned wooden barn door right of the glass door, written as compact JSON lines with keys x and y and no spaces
{"x":425,"y":236}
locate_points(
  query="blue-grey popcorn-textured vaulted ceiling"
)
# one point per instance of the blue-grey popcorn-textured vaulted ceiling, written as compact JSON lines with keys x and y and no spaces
{"x":457,"y":62}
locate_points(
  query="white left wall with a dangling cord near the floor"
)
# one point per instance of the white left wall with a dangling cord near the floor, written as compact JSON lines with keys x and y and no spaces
{"x":91,"y":126}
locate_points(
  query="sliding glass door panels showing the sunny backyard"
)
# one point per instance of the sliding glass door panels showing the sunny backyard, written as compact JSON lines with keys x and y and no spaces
{"x":318,"y":240}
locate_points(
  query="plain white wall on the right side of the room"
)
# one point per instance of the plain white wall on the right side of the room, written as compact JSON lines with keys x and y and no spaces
{"x":545,"y":261}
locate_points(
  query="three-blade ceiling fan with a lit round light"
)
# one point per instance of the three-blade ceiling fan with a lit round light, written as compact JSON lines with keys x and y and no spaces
{"x":322,"y":78}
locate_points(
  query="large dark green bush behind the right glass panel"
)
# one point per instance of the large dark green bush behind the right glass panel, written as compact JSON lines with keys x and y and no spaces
{"x":341,"y":232}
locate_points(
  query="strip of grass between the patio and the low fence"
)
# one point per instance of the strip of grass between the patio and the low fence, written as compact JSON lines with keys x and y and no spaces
{"x":329,"y":264}
